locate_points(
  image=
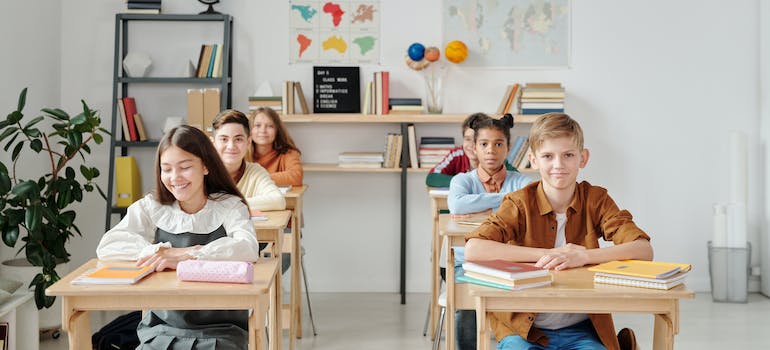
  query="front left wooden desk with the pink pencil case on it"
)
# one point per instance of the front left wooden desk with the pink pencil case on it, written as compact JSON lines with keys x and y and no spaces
{"x":162,"y":290}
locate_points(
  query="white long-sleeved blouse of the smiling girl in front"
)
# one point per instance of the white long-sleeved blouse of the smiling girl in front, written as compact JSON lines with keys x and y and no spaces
{"x":132,"y":238}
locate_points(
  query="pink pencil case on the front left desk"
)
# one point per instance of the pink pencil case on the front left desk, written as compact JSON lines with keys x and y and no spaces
{"x":215,"y":271}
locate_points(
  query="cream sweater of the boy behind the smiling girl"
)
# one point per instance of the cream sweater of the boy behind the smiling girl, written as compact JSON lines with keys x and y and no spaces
{"x":259,"y":189}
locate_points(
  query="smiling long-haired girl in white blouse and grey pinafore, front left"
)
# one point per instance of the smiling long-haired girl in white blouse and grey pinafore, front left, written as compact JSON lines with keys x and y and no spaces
{"x":196,"y":212}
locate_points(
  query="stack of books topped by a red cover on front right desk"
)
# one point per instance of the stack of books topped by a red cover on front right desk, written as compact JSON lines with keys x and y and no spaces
{"x":504,"y":274}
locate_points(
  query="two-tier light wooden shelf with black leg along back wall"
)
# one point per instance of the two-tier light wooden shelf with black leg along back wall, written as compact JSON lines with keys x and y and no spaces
{"x":404,"y":120}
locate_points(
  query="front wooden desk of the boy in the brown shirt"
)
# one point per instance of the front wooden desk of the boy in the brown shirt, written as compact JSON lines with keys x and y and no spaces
{"x":574,"y":291}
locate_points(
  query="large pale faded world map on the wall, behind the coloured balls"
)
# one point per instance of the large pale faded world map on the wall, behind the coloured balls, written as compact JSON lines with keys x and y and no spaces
{"x":510,"y":33}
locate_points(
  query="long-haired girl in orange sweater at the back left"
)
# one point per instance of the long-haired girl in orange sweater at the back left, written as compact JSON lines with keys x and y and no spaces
{"x":273,"y":148}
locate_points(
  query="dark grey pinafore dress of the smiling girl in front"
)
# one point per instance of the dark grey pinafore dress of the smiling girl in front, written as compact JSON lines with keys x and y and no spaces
{"x":193,"y":329}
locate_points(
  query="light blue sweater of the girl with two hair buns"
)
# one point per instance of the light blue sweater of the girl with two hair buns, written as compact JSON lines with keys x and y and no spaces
{"x":468,"y":195}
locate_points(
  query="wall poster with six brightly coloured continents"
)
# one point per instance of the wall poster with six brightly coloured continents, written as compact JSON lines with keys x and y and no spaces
{"x":345,"y":32}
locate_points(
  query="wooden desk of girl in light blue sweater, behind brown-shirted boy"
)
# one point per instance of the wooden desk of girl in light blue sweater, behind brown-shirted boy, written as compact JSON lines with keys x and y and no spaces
{"x":457,"y":297}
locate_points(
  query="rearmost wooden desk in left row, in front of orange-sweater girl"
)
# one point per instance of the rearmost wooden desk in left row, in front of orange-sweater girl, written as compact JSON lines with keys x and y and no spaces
{"x":292,"y":246}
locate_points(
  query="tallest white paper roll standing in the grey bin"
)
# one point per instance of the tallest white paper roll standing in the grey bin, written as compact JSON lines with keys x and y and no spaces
{"x":737,"y":176}
